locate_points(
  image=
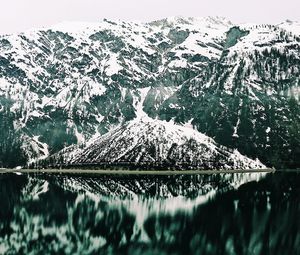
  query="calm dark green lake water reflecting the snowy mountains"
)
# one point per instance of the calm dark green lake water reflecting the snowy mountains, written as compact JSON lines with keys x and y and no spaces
{"x":187,"y":214}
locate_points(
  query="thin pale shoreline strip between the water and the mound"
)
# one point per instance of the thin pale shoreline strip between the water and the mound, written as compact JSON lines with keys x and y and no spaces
{"x":131,"y":172}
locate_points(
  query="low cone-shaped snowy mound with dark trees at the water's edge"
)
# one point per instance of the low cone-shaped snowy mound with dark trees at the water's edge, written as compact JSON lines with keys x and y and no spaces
{"x":156,"y":144}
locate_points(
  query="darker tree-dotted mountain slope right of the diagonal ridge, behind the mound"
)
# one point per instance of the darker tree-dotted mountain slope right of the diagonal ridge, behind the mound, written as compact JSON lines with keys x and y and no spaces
{"x":249,"y":99}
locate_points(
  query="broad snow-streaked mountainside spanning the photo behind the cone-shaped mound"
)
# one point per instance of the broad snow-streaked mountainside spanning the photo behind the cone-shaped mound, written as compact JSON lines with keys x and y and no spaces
{"x":72,"y":82}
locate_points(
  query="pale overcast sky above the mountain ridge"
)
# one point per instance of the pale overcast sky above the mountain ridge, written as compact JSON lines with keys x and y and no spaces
{"x":19,"y":15}
